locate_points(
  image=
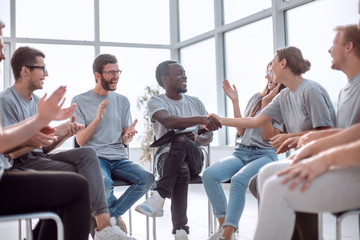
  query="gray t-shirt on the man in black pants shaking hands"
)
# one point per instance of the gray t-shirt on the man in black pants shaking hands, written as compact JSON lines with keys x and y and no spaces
{"x":187,"y":106}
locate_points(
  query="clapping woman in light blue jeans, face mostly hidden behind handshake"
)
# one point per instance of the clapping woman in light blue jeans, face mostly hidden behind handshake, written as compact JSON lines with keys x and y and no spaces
{"x":251,"y":153}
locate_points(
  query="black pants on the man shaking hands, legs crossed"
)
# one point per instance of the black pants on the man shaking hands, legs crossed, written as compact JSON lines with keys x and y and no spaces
{"x":185,"y":159}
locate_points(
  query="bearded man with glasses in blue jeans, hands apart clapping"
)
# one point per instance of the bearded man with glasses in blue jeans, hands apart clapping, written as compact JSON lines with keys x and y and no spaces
{"x":109,"y":129}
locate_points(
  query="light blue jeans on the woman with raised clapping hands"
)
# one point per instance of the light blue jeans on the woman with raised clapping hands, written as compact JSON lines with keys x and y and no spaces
{"x":240,"y":166}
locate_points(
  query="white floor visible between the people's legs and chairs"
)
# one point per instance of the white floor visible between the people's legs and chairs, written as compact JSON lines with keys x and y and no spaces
{"x":198,"y":221}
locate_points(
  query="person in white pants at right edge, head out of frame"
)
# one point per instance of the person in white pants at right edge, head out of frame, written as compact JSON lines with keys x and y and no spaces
{"x":323,"y":176}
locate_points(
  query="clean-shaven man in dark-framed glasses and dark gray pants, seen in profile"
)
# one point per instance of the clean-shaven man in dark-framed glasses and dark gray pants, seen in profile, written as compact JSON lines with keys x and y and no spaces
{"x":18,"y":103}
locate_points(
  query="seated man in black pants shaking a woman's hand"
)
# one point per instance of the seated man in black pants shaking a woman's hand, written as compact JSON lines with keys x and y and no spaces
{"x":182,"y":157}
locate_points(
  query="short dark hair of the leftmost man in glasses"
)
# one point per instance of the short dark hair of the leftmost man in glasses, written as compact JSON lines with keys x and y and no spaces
{"x":24,"y":56}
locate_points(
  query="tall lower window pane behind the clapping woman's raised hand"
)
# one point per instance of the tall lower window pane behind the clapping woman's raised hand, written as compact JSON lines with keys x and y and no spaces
{"x":246,"y":60}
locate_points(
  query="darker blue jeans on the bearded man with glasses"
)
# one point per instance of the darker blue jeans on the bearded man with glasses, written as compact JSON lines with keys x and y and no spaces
{"x":141,"y":179}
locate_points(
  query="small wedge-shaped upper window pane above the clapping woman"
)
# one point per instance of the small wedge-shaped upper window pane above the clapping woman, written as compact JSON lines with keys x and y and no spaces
{"x":235,"y":9}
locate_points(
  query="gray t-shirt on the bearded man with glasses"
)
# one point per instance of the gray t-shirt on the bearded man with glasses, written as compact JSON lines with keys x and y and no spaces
{"x":106,"y":140}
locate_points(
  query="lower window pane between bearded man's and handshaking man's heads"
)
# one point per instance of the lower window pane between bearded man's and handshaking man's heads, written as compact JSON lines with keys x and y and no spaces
{"x":137,"y":73}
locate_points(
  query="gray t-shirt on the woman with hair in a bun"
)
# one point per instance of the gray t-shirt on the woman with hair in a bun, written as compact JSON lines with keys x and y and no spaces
{"x":307,"y":107}
